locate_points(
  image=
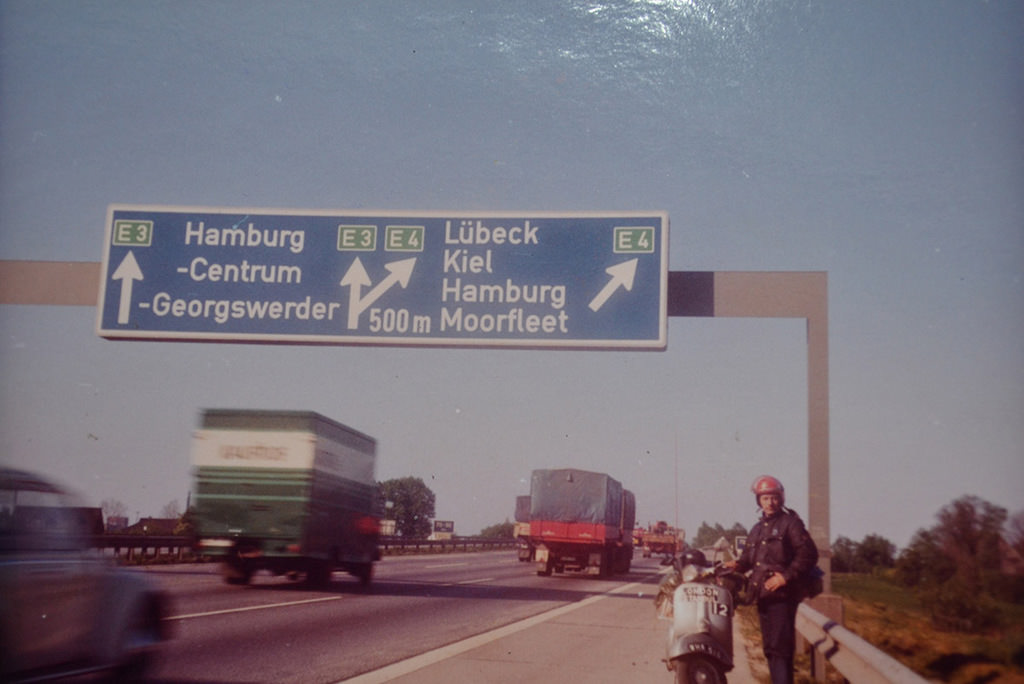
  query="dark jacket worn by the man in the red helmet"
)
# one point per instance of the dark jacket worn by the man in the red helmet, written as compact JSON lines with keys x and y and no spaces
{"x":780,"y":544}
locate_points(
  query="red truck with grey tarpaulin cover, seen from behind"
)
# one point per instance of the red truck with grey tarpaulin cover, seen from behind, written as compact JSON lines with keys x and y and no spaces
{"x":581,"y":521}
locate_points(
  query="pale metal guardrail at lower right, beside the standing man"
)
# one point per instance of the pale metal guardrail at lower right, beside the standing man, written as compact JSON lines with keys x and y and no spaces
{"x":857,"y":660}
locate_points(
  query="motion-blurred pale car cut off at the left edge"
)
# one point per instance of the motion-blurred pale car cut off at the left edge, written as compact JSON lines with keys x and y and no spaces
{"x":66,"y":611}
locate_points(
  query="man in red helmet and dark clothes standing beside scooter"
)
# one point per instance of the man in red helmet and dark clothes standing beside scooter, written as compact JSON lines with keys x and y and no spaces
{"x":781,"y":553}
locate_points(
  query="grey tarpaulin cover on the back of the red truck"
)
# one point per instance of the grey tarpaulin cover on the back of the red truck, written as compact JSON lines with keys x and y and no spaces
{"x":576,"y":496}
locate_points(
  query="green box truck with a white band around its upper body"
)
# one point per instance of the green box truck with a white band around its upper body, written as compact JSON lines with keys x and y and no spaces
{"x":289,"y":492}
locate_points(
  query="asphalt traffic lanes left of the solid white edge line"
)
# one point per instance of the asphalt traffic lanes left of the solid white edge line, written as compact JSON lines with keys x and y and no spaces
{"x":277,"y":630}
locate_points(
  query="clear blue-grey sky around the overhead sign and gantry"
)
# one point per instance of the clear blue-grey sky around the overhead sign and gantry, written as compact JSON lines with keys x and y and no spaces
{"x":880,"y":143}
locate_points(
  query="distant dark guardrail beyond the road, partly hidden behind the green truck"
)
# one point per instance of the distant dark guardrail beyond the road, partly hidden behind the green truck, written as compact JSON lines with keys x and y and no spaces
{"x":151,"y":547}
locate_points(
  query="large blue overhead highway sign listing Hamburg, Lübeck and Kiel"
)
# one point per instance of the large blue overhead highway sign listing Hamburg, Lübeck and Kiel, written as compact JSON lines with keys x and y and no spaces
{"x":433,"y":279}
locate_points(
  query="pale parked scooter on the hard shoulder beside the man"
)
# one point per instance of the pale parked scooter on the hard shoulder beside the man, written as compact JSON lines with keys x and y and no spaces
{"x":700,"y":600}
